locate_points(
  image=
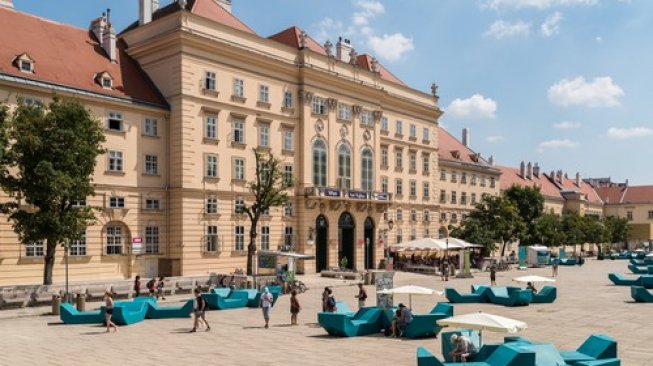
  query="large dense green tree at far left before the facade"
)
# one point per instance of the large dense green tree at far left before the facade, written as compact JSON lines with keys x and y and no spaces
{"x":52,"y":155}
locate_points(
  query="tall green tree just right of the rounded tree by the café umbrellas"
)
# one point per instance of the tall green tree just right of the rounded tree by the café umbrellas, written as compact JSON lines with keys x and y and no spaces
{"x":530,"y":205}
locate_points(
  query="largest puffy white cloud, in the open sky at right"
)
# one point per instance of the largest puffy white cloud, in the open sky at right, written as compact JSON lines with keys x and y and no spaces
{"x":600,"y":92}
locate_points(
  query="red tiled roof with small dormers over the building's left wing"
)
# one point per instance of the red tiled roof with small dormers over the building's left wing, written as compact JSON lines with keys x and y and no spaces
{"x":70,"y":57}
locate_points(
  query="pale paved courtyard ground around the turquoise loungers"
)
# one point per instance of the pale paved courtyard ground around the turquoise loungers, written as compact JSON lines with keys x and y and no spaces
{"x":587,"y":303}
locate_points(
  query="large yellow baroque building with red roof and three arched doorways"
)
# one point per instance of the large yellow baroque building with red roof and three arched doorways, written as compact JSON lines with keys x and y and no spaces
{"x":186,"y":94}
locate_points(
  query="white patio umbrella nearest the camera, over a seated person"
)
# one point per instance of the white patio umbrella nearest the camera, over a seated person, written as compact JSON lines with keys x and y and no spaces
{"x":482,"y":321}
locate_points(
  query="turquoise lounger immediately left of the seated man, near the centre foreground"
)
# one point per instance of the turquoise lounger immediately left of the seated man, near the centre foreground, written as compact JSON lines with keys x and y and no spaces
{"x":367,"y":320}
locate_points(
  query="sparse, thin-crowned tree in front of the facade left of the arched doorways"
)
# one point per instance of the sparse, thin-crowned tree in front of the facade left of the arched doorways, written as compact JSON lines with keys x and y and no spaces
{"x":269,"y":190}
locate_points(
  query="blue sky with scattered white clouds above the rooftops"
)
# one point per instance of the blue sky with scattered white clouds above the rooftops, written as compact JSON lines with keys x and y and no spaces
{"x":566,"y":83}
